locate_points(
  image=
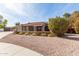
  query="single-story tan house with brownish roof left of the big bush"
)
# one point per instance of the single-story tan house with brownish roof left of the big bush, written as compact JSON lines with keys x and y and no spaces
{"x":34,"y":26}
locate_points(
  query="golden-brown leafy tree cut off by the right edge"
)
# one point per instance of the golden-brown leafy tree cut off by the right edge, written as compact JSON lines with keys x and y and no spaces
{"x":74,"y":21}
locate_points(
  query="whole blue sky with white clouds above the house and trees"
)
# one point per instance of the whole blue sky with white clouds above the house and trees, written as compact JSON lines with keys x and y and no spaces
{"x":23,"y":12}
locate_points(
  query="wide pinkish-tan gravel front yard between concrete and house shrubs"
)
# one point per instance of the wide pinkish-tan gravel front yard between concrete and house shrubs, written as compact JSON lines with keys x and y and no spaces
{"x":45,"y":45}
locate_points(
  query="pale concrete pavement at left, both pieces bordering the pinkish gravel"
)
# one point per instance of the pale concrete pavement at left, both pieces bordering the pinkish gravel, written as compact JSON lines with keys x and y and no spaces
{"x":7,"y":49}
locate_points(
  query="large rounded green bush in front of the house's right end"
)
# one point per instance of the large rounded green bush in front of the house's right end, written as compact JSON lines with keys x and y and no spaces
{"x":58,"y":26}
